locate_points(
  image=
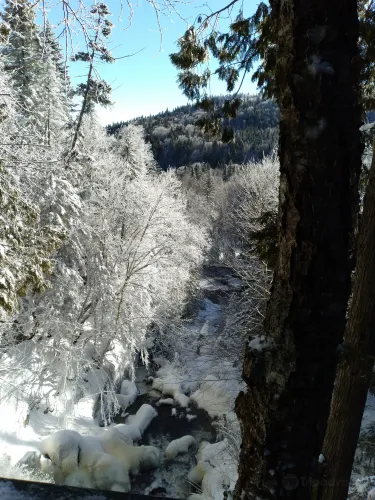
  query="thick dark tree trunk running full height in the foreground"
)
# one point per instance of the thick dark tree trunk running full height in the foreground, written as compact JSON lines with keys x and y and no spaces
{"x":285,"y":409}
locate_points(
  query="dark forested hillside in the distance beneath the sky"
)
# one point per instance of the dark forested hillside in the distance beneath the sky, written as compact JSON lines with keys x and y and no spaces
{"x":177,"y":141}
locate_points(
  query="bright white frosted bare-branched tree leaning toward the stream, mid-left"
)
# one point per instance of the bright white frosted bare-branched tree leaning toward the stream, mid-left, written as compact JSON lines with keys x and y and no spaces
{"x":146,"y":241}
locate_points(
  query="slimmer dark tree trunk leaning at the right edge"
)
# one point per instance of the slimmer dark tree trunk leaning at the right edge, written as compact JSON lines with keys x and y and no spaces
{"x":356,"y":362}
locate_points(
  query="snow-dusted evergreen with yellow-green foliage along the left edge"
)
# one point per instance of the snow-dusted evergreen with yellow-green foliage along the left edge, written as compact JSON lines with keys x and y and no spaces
{"x":26,"y":240}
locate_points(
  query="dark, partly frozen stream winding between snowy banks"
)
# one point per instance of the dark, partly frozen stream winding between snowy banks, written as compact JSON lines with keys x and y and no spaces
{"x":174,"y":421}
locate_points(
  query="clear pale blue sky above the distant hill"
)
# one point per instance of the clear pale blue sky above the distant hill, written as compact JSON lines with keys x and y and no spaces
{"x":146,"y":83}
